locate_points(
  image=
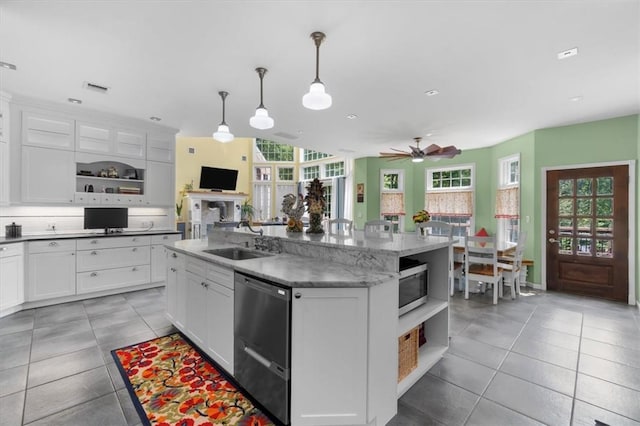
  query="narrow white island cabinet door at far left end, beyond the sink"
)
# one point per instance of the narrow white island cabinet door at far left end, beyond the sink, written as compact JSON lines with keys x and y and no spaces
{"x":176,"y":289}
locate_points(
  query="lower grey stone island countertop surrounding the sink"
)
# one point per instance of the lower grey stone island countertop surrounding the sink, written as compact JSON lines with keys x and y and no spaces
{"x":287,"y":269}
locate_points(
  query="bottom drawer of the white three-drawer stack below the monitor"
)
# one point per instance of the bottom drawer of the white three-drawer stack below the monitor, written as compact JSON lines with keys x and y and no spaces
{"x":88,"y":282}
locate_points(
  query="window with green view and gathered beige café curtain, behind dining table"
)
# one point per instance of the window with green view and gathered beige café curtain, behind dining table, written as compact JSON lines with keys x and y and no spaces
{"x":449,"y":197}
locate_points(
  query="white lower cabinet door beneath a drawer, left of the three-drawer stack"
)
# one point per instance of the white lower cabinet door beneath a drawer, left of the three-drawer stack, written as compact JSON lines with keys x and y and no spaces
{"x":51,"y":275}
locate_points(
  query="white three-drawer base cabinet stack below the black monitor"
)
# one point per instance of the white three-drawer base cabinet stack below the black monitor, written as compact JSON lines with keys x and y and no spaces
{"x":113,"y":262}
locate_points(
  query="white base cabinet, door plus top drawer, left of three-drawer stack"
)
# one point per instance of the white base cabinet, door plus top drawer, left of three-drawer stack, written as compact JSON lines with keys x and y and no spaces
{"x":51,"y":270}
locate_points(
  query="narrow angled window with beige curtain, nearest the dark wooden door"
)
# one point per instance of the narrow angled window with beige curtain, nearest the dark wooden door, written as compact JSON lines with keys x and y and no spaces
{"x":508,"y":199}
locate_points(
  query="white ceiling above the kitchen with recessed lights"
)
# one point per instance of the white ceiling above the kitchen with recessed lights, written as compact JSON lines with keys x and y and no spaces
{"x":494,"y":63}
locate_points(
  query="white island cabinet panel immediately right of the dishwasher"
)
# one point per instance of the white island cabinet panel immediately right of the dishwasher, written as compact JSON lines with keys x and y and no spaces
{"x":329,"y":356}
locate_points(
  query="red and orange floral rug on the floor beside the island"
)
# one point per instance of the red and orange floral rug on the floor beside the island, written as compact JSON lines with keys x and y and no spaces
{"x":171,"y":384}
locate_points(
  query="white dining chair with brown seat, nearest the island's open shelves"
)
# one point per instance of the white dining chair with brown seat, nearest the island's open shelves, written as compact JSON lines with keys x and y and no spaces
{"x":481,"y":264}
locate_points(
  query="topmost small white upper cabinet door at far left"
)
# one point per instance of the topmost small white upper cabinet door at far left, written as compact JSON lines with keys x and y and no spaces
{"x":49,"y":131}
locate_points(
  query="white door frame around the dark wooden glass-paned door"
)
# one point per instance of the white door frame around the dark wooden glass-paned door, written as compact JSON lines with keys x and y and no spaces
{"x":633,"y":222}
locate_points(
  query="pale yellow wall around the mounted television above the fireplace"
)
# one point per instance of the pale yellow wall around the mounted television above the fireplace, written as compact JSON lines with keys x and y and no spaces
{"x":209,"y":152}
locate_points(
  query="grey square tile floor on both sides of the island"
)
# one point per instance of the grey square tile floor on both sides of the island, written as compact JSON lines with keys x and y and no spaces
{"x":545,"y":358}
